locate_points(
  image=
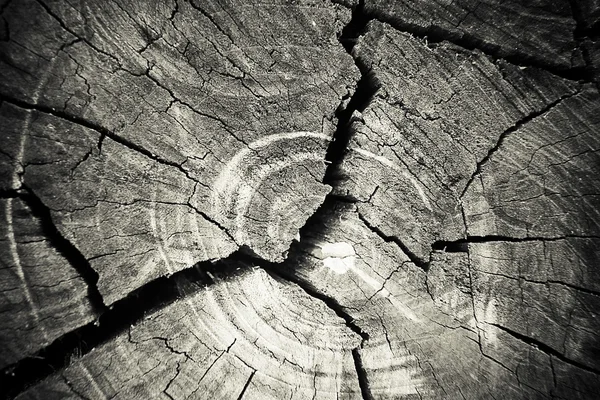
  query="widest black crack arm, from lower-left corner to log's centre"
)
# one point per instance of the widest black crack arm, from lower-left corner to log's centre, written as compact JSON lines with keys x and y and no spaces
{"x":118,"y":318}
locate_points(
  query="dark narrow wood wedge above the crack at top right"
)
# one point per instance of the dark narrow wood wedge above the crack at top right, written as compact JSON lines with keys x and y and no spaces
{"x":540,"y":30}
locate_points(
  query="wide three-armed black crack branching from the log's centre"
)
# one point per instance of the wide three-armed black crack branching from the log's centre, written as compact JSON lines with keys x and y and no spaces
{"x":165,"y":290}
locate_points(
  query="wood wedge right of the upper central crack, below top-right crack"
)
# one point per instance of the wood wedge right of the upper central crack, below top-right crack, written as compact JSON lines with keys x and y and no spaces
{"x":439,"y":112}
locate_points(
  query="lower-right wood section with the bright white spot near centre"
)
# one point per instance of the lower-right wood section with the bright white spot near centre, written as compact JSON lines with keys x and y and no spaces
{"x":505,"y":320}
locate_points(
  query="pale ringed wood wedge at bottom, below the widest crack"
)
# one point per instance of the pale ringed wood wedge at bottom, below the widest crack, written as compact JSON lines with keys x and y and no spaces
{"x":250,"y":335}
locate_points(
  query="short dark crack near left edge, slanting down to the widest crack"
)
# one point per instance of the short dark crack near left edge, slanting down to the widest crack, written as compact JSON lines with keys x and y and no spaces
{"x":65,"y":248}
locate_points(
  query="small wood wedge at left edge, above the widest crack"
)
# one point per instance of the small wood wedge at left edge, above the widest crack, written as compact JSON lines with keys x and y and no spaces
{"x":42,"y":297}
